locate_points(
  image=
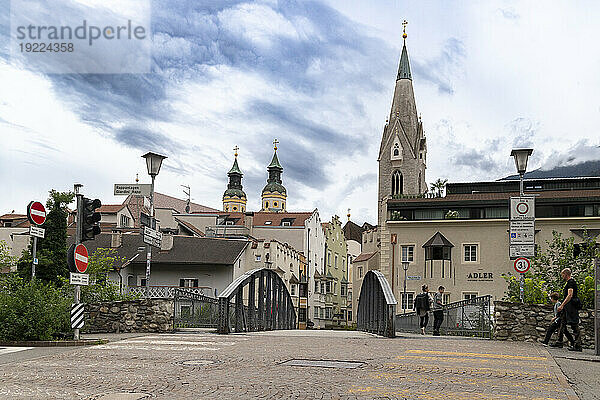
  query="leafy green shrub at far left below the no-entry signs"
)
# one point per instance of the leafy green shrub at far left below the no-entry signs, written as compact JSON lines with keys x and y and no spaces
{"x":32,"y":310}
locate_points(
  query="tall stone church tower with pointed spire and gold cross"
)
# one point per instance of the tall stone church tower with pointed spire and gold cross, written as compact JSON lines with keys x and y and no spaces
{"x":403,"y":150}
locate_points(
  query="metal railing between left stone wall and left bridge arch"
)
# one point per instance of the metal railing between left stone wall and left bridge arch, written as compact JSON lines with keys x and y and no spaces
{"x":193,"y":310}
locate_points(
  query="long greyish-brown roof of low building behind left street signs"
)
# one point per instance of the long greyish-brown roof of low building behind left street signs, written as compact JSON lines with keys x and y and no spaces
{"x":186,"y":249}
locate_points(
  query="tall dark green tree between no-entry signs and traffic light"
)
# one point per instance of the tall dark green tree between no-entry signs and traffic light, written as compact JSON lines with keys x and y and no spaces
{"x":52,"y":250}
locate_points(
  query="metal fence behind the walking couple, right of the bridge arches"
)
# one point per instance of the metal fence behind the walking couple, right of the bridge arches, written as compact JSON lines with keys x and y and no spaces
{"x":471,"y":317}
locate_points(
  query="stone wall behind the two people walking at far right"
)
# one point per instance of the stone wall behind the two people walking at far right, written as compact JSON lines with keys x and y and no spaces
{"x":523,"y":322}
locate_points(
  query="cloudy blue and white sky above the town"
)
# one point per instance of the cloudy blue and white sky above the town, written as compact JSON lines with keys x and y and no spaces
{"x":319,"y":77}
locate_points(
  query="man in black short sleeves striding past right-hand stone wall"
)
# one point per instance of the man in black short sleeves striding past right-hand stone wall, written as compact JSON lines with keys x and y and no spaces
{"x":570,"y":312}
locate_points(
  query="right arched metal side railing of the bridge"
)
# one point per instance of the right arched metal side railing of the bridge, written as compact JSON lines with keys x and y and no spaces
{"x":376,"y":306}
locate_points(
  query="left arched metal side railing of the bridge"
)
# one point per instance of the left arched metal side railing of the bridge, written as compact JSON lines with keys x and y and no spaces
{"x":258,"y":300}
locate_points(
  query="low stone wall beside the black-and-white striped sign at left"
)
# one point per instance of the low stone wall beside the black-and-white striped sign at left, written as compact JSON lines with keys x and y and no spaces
{"x":146,"y":315}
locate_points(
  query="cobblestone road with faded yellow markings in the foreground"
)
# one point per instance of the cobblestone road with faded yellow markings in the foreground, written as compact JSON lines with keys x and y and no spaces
{"x":247,"y":366}
